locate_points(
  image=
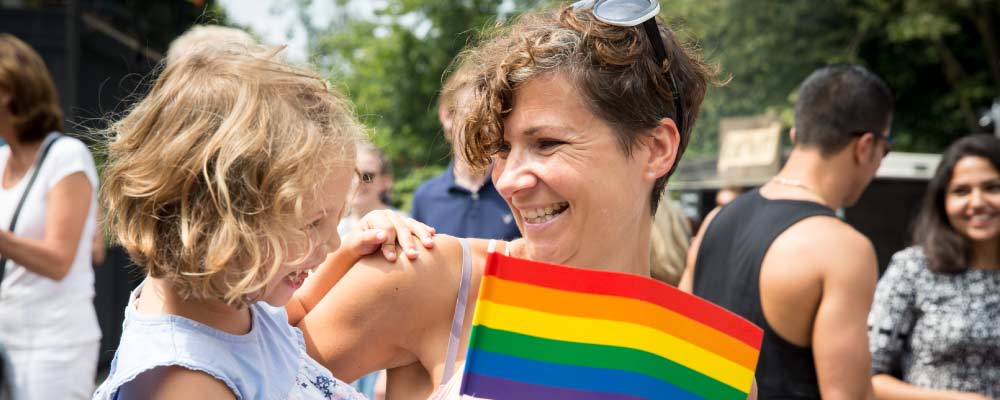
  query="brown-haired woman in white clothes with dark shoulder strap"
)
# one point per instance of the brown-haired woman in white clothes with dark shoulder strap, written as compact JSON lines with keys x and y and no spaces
{"x":47,"y":318}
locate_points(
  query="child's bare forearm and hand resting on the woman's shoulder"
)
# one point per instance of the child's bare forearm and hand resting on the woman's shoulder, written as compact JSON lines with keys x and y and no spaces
{"x":377,"y":230}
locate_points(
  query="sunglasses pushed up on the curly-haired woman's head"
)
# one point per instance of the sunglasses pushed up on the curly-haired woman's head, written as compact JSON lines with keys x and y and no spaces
{"x":630,"y":13}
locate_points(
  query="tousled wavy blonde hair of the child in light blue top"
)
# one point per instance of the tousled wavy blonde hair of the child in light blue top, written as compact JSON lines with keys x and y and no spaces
{"x":207,"y":175}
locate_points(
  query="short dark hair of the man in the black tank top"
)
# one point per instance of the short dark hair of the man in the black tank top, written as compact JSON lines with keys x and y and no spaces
{"x":837,"y":103}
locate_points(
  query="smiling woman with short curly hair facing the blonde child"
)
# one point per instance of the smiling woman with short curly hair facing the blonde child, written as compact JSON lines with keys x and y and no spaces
{"x":579,"y":118}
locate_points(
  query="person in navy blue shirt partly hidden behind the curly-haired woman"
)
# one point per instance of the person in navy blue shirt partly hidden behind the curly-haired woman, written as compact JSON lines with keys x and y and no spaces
{"x":459,"y":201}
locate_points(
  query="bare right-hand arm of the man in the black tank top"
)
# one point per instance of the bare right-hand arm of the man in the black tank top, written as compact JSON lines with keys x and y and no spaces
{"x":840,"y":330}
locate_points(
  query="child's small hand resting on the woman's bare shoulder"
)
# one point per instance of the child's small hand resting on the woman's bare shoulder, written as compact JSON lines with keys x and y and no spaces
{"x":382,"y":229}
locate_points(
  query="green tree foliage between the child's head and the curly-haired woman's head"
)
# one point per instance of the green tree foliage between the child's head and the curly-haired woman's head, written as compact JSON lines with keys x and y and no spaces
{"x":393,"y":65}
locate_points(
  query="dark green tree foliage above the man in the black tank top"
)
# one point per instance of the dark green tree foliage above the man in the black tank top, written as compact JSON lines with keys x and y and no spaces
{"x":939,"y":56}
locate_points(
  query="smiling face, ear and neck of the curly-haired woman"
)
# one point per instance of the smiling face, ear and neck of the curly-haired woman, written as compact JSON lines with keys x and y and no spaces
{"x":556,"y":161}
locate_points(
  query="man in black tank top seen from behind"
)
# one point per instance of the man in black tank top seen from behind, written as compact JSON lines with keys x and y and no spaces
{"x":779,"y":257}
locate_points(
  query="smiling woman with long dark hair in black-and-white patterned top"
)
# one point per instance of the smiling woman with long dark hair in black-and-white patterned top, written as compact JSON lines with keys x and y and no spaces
{"x":935,"y":323}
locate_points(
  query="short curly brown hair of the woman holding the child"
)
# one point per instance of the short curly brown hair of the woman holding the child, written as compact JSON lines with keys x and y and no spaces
{"x":612,"y":67}
